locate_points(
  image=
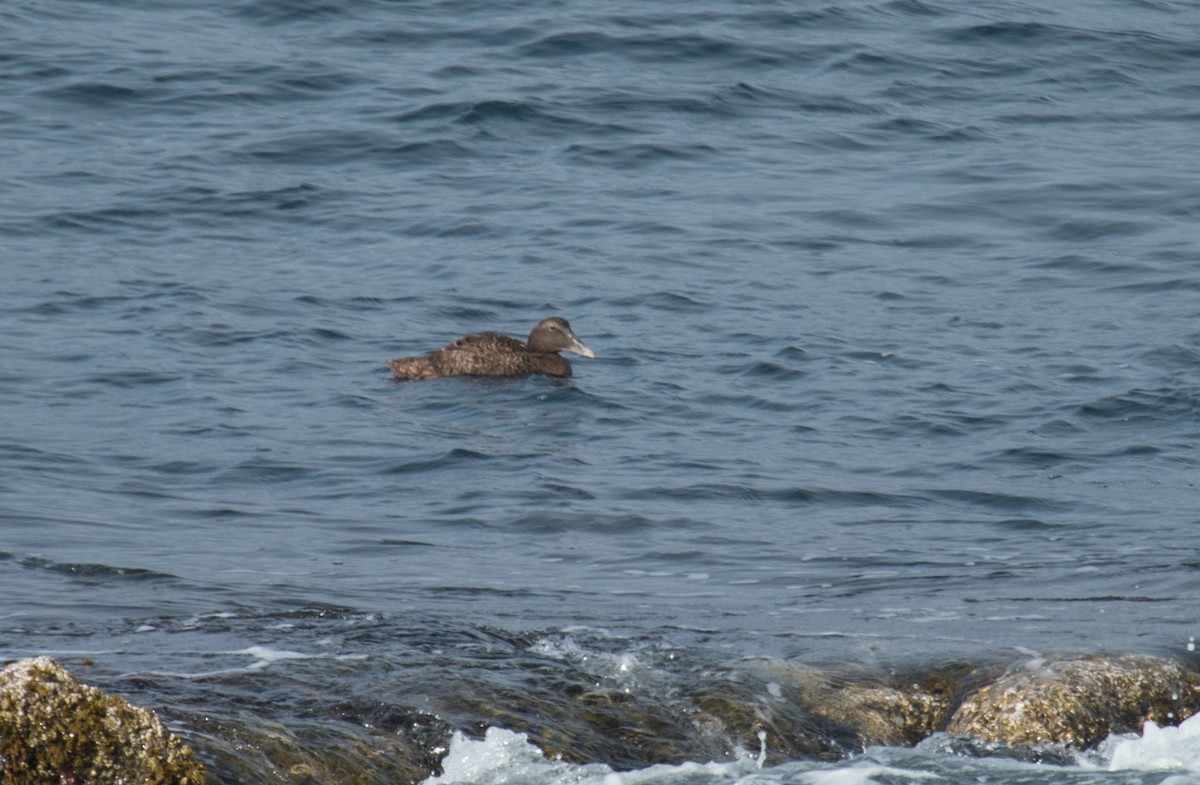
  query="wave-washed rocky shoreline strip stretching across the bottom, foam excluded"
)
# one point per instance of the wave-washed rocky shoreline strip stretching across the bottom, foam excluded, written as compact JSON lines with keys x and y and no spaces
{"x":57,"y":732}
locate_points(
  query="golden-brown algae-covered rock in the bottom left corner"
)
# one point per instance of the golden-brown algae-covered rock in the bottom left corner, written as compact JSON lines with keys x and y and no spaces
{"x":56,"y":730}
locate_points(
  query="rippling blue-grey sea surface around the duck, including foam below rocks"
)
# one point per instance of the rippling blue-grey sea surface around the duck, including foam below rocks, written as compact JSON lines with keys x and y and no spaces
{"x":896,"y":305}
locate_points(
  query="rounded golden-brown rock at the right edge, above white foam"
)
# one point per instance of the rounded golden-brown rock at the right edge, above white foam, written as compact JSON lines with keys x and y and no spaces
{"x":1078,"y":702}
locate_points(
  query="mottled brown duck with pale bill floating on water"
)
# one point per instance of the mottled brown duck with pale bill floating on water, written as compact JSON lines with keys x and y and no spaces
{"x":495,"y":355}
